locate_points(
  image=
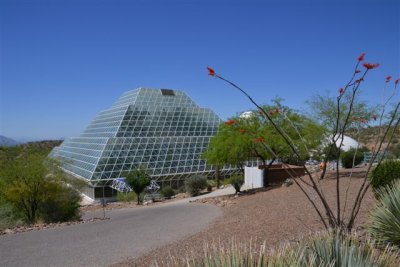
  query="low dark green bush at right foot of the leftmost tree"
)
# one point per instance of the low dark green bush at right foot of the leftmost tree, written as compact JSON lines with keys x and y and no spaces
{"x":61,"y":204}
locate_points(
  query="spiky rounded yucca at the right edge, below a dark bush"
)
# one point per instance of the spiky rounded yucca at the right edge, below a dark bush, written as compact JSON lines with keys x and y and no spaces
{"x":385,"y":217}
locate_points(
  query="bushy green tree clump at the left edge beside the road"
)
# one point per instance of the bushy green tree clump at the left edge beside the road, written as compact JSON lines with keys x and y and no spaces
{"x":34,"y":191}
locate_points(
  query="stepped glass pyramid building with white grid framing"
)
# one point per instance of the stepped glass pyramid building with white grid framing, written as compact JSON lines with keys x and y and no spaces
{"x":160,"y":129}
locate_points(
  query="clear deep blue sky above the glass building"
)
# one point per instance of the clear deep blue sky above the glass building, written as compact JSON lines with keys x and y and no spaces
{"x":61,"y":62}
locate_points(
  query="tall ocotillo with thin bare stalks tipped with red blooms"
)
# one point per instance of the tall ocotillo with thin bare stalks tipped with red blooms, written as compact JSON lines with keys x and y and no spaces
{"x":335,"y":216}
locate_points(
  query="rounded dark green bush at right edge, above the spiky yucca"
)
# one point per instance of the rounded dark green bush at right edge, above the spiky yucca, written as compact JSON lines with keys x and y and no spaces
{"x":385,"y":173}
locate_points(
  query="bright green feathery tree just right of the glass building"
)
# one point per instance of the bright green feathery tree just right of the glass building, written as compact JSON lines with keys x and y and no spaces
{"x":241,"y":139}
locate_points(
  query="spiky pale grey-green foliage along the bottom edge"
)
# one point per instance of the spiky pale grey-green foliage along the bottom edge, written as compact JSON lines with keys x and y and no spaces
{"x":322,"y":250}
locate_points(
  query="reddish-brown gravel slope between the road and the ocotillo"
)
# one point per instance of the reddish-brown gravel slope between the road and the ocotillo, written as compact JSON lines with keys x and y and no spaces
{"x":275,"y":216}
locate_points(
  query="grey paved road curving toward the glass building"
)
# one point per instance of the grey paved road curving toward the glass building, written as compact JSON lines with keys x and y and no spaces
{"x":128,"y":233}
